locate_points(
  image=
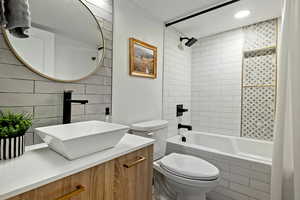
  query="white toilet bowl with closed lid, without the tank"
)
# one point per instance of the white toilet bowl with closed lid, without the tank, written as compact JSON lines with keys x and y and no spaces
{"x":189,"y":176}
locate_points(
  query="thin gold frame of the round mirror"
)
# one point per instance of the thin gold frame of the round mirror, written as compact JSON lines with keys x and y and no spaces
{"x":5,"y":36}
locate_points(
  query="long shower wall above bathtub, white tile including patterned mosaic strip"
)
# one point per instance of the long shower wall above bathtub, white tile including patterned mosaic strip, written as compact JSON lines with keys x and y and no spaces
{"x":234,"y":82}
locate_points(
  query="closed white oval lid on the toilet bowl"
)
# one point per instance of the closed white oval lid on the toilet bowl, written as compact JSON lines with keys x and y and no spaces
{"x":189,"y":167}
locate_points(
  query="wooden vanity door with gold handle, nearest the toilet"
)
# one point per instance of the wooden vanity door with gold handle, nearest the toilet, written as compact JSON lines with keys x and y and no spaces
{"x":133,"y":175}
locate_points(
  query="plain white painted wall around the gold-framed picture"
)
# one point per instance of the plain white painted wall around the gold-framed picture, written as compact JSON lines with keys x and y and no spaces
{"x":135,"y":99}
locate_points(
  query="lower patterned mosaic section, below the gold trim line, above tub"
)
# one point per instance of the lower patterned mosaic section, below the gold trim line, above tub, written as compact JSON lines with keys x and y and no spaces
{"x":258,"y":112}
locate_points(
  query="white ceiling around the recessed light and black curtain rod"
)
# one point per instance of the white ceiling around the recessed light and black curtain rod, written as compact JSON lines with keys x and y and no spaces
{"x":213,"y":22}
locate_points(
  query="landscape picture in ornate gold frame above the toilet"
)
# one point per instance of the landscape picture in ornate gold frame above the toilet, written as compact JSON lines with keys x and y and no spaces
{"x":143,"y":59}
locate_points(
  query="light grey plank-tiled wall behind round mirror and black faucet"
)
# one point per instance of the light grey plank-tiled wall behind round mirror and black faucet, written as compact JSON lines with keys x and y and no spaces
{"x":24,"y":91}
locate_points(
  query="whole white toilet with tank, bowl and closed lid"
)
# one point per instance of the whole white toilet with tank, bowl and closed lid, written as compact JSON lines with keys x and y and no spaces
{"x":189,"y":176}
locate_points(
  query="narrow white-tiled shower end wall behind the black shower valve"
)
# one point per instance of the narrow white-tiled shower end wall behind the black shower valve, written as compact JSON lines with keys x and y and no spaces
{"x":177,"y":80}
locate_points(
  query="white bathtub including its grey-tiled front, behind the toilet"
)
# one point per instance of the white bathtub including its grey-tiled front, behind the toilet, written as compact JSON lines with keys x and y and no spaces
{"x":245,"y":164}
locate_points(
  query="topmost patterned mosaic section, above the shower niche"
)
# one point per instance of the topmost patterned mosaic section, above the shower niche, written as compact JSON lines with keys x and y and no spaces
{"x":261,"y":35}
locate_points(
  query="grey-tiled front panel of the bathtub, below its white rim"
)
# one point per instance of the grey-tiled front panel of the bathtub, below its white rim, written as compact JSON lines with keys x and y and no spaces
{"x":240,"y":179}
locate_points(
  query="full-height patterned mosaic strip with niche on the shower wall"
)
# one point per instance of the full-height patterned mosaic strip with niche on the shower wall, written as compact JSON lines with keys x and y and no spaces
{"x":259,"y":78}
